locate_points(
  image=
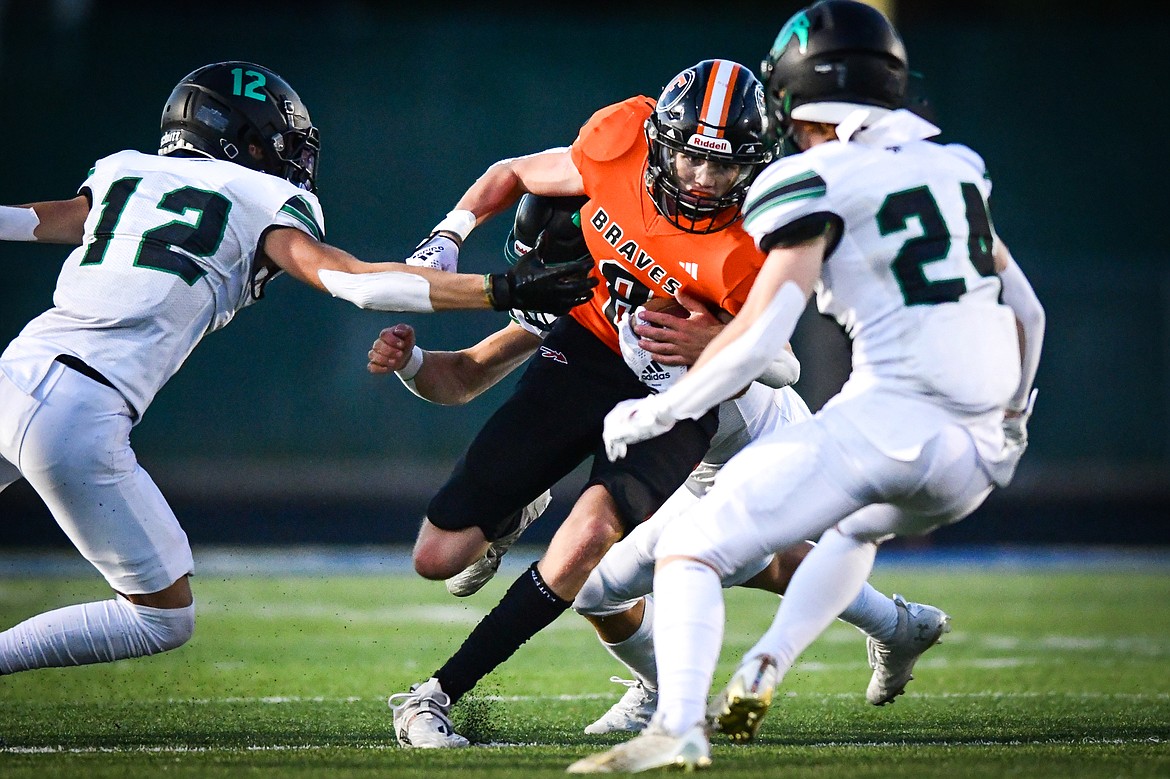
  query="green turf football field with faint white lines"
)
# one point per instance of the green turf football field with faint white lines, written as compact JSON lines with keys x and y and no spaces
{"x":1050,"y":673}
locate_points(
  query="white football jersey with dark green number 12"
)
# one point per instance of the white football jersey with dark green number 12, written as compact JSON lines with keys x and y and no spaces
{"x":169,"y":256}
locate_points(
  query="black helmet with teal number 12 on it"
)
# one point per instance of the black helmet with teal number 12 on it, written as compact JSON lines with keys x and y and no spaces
{"x":223,"y":109}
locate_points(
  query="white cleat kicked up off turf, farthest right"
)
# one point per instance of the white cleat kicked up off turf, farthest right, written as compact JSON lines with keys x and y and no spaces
{"x":919,"y":629}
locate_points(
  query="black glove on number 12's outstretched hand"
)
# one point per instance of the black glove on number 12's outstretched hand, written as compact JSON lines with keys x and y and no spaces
{"x":533,"y":286}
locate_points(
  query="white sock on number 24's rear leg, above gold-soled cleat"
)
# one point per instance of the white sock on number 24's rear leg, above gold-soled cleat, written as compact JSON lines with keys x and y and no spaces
{"x":824,"y":584}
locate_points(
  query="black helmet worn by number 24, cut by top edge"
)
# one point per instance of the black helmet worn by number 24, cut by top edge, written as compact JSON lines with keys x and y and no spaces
{"x":831,"y":59}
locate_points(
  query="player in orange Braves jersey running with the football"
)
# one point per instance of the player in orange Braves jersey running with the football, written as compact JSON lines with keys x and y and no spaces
{"x":664,"y":183}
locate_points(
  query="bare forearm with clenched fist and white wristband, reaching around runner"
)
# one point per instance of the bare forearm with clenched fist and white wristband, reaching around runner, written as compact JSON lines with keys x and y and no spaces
{"x":451,"y":378}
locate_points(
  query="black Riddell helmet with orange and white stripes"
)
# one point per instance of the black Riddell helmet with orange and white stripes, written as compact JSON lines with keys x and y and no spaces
{"x":715,"y":112}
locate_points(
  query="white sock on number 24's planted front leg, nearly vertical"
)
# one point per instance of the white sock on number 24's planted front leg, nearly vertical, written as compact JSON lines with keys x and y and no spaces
{"x":689,"y":635}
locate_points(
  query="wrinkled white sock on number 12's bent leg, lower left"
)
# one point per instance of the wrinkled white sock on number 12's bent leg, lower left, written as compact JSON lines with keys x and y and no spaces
{"x":94,"y":633}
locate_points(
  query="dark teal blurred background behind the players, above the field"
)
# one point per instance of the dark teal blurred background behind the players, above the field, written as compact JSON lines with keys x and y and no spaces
{"x":274,"y":432}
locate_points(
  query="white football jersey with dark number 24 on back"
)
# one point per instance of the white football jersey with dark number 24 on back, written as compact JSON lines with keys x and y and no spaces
{"x":912,"y":279}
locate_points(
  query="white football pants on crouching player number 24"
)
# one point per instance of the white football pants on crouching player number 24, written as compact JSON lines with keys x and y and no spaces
{"x":801,"y":481}
